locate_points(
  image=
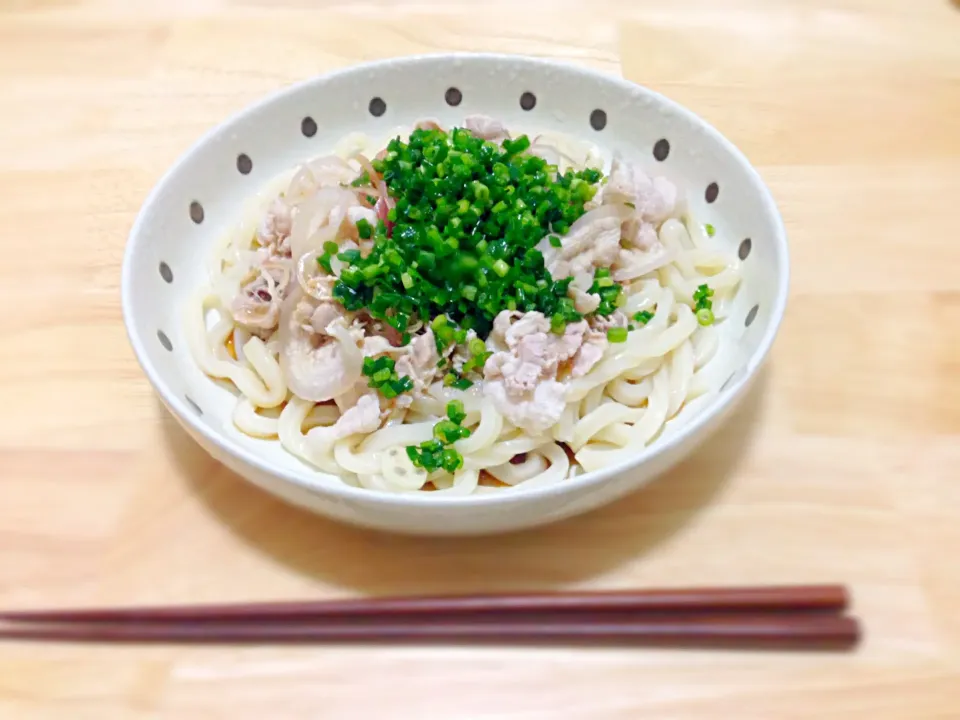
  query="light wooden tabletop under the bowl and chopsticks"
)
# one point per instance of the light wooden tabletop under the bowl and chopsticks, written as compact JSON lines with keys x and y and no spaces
{"x":843,"y":466}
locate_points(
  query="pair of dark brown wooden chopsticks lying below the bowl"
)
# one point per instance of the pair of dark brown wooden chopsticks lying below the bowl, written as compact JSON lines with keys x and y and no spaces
{"x":800,"y":617}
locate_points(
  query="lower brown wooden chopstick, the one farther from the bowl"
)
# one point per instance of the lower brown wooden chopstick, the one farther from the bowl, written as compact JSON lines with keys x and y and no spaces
{"x":787,"y":630}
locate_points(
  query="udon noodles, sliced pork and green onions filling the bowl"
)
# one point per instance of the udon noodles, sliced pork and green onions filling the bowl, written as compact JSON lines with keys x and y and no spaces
{"x":465,"y":311}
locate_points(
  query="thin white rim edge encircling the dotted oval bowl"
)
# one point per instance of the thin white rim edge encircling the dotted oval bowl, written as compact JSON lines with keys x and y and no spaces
{"x":435,"y":501}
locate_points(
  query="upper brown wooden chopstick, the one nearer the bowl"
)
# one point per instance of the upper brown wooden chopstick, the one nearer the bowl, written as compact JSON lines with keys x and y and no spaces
{"x":746,"y":599}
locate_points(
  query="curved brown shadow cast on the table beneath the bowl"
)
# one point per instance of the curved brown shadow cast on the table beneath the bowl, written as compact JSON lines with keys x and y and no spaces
{"x":564,"y":553}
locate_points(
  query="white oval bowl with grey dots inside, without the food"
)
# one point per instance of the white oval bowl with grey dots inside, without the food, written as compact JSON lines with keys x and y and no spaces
{"x":171,"y":241}
